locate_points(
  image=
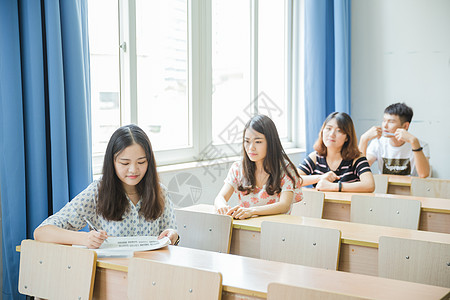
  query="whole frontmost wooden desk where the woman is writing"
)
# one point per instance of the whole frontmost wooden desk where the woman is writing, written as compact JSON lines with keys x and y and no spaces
{"x":248,"y":278}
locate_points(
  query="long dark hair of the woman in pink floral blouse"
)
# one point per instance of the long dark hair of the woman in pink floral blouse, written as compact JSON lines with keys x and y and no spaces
{"x":275,"y":162}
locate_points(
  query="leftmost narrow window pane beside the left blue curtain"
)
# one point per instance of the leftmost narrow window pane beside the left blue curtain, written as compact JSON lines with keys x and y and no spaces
{"x":104,"y":69}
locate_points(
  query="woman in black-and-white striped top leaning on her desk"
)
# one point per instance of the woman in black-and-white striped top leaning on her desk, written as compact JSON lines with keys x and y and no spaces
{"x":337,"y":165}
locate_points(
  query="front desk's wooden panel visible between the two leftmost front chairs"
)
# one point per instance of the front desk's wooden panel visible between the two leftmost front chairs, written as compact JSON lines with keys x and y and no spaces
{"x":110,"y":284}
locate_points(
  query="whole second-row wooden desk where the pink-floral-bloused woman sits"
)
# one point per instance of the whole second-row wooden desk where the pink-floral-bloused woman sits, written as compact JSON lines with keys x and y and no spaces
{"x":359,"y":242}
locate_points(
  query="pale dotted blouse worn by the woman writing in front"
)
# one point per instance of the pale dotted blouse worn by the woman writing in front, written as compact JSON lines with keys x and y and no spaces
{"x":84,"y":205}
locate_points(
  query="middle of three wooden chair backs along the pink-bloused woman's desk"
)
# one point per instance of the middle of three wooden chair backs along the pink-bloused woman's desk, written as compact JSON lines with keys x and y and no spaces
{"x":300,"y":244}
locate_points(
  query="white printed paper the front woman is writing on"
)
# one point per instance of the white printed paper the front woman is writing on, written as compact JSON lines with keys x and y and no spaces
{"x":126,"y":246}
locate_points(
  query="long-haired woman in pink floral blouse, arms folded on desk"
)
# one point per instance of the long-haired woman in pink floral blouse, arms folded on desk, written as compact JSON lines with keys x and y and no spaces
{"x":265,"y":180}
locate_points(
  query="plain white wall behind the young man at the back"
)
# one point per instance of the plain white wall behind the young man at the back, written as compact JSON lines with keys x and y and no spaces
{"x":401,"y":52}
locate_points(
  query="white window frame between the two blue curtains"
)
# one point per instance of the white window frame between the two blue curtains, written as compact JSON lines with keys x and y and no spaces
{"x":200,"y":77}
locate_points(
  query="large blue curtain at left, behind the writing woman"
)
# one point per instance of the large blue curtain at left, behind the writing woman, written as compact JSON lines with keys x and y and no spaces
{"x":45,"y":140}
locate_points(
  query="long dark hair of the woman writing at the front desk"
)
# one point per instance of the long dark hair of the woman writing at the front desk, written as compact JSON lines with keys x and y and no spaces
{"x":112,"y":202}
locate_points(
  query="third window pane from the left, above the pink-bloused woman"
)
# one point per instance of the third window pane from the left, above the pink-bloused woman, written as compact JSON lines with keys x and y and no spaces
{"x":230,"y":68}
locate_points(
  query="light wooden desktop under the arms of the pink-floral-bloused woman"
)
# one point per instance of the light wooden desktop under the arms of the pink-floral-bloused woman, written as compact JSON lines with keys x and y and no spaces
{"x":352,"y":233}
